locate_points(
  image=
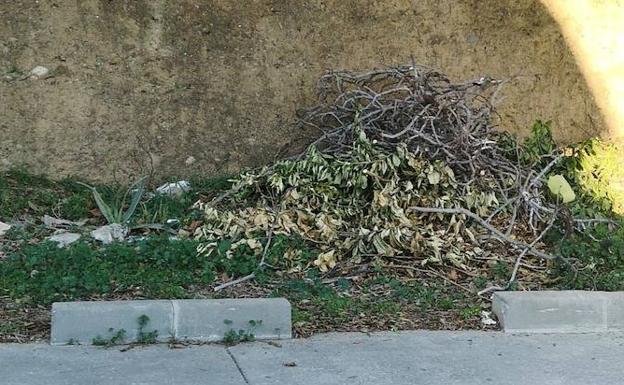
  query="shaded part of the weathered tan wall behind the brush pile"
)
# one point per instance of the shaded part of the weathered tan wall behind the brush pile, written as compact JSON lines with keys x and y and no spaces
{"x":145,"y":85}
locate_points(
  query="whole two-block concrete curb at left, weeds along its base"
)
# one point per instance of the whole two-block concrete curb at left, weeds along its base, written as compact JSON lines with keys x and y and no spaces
{"x":182,"y":320}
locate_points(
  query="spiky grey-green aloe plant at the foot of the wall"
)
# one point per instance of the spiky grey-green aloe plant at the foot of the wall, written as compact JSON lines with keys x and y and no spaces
{"x":114,"y":211}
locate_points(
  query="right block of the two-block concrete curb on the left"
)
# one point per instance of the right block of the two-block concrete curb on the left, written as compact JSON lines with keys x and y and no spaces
{"x":210,"y":320}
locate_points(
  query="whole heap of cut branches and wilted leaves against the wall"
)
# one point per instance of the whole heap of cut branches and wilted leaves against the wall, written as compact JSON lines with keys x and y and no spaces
{"x":407,"y":167}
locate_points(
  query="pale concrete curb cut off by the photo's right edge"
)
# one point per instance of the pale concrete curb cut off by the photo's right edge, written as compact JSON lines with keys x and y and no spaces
{"x":559,"y":311}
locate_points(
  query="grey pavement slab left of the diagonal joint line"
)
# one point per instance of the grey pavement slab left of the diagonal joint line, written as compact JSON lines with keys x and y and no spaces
{"x":153,"y":365}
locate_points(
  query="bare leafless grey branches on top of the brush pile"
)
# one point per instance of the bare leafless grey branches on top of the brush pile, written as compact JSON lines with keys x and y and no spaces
{"x":437,"y":120}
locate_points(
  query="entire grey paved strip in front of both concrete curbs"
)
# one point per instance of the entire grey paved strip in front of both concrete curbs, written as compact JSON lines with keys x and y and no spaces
{"x":334,"y":359}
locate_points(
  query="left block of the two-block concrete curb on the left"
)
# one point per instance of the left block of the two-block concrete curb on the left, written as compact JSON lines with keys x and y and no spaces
{"x":82,"y":321}
